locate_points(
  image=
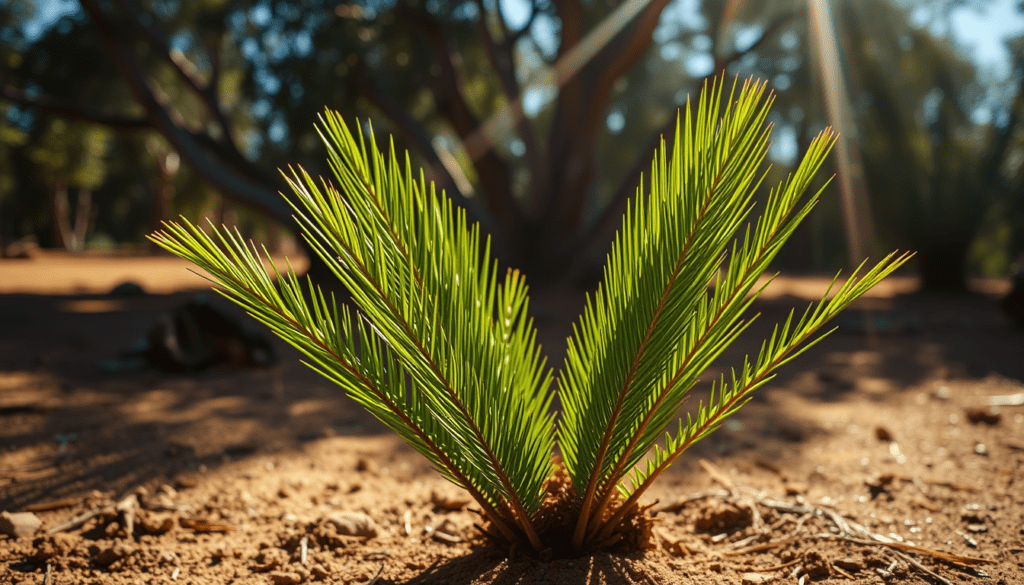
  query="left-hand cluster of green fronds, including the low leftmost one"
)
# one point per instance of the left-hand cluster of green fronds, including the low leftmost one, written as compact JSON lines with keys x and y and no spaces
{"x":447,"y":355}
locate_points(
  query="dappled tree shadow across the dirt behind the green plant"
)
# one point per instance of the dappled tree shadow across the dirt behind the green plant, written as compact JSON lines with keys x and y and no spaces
{"x":69,"y":428}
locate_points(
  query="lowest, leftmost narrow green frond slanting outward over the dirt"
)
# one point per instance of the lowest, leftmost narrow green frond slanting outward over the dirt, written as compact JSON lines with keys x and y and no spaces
{"x":325,"y":333}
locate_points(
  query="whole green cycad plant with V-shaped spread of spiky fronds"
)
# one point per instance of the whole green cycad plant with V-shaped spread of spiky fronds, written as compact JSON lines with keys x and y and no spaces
{"x":441,"y":348}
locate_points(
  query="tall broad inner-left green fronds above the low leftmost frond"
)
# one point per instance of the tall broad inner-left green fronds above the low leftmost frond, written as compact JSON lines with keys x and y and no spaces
{"x":421,"y":276}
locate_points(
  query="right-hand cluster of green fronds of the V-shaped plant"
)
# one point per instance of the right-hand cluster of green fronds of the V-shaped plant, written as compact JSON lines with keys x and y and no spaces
{"x":680,"y":276}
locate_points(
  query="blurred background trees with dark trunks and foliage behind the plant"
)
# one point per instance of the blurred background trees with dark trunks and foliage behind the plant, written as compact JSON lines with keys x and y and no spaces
{"x":536,"y":115}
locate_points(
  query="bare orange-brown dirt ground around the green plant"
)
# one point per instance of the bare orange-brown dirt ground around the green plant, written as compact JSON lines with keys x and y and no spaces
{"x":877,"y":457}
